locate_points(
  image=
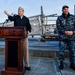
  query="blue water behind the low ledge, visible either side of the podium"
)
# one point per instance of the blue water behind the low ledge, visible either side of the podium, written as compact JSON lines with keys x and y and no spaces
{"x":35,"y":42}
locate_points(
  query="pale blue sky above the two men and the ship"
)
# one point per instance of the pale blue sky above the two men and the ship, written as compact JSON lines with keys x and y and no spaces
{"x":32,"y":7}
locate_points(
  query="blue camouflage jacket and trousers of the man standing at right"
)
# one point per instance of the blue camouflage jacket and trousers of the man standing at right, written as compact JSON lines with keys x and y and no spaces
{"x":66,"y":24}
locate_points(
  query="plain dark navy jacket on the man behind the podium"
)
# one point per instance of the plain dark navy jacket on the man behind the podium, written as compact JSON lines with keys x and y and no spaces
{"x":21,"y":22}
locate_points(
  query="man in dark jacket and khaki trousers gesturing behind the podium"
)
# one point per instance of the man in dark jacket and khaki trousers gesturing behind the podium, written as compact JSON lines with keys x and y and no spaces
{"x":21,"y":20}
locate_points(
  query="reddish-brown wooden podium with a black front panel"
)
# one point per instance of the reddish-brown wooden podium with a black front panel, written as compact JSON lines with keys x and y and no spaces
{"x":13,"y":50}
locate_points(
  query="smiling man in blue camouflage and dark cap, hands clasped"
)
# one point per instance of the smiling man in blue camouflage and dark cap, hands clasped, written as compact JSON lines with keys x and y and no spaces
{"x":66,"y":30}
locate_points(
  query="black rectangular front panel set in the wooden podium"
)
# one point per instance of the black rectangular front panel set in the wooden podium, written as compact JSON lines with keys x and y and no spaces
{"x":13,"y":54}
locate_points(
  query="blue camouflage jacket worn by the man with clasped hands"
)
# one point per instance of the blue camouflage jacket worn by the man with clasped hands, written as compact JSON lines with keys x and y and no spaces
{"x":66,"y":24}
